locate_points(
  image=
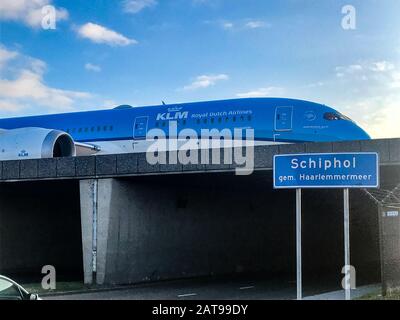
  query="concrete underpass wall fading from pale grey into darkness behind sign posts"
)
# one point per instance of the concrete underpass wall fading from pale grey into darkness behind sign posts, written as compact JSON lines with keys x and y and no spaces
{"x":214,"y":224}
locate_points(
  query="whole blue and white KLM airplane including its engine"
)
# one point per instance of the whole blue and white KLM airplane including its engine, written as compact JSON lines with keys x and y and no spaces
{"x":125,"y":129}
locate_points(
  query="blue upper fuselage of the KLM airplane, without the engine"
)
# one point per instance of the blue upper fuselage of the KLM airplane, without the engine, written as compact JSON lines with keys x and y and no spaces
{"x":274,"y":120}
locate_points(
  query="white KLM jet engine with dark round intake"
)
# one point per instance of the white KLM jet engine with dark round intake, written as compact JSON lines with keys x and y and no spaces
{"x":35,"y":143}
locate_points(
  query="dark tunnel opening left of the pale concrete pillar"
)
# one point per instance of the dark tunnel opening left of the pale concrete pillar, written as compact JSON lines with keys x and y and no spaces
{"x":39,"y":226}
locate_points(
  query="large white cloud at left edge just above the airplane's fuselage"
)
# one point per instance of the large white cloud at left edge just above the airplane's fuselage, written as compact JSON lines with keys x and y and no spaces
{"x":25,"y":87}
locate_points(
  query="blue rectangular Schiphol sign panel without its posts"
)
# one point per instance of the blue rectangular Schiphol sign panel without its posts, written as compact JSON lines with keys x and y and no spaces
{"x":326,"y":170}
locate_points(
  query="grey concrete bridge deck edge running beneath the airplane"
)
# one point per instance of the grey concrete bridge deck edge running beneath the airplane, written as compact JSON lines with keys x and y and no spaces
{"x":135,"y":164}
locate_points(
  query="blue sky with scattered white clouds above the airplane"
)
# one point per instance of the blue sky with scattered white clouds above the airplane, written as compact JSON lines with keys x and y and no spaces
{"x":102,"y":53}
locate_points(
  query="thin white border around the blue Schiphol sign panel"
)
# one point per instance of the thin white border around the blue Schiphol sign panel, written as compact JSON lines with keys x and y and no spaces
{"x":325,"y":186}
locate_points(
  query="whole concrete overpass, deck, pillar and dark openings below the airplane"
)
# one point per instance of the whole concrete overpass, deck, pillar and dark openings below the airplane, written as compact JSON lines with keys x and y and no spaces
{"x":147,"y":222}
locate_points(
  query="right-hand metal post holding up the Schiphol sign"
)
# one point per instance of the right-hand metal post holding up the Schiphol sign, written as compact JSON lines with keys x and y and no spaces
{"x":347,"y":265}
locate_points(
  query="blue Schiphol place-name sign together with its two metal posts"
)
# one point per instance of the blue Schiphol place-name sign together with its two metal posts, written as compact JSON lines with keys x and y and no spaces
{"x":322,"y":171}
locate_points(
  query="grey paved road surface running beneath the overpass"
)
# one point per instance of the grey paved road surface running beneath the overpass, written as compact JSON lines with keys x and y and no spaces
{"x":200,"y":289}
